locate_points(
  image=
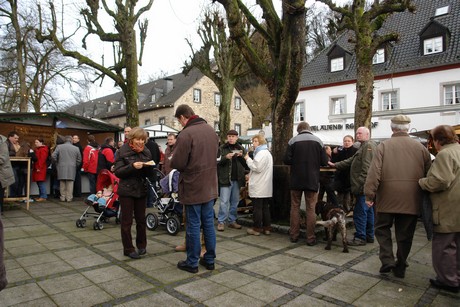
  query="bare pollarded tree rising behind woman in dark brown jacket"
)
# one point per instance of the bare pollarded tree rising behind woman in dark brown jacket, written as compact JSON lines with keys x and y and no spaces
{"x":124,"y":71}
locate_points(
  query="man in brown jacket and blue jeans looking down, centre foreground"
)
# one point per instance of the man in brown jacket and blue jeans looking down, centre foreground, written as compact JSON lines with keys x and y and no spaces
{"x":195,"y":155}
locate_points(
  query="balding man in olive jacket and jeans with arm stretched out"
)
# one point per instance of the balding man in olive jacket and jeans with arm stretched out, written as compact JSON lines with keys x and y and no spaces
{"x":363,"y":216}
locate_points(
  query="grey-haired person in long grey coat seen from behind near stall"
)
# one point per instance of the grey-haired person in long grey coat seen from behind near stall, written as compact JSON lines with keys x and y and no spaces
{"x":67,"y":158}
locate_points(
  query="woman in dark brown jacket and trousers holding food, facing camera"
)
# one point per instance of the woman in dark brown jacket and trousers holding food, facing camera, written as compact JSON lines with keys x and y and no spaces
{"x":131,"y":168}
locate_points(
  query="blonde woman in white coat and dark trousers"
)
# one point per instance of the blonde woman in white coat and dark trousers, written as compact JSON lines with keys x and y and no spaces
{"x":260,"y":185}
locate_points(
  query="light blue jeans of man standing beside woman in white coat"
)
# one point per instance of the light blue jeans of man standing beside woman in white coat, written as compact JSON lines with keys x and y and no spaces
{"x":229,"y":199}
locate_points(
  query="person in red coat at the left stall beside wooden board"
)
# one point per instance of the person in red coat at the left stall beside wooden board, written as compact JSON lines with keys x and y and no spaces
{"x":39,"y":168}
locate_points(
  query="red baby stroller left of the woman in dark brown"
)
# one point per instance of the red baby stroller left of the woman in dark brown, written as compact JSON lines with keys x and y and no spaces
{"x":105,"y":206}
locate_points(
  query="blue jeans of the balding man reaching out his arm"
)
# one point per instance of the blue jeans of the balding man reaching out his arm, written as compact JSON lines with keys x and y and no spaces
{"x":363,"y":217}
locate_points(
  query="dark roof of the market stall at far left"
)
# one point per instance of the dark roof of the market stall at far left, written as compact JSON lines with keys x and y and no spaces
{"x":59,"y":120}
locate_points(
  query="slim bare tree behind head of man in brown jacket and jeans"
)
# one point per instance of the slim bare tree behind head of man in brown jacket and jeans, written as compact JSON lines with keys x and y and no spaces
{"x":224,"y":66}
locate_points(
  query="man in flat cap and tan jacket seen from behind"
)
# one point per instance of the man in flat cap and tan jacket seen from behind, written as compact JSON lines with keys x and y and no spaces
{"x":392,"y":187}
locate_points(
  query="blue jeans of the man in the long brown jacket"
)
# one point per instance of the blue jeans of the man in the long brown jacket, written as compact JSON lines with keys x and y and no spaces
{"x":200,"y":215}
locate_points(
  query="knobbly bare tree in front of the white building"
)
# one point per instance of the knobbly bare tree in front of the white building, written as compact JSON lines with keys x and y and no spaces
{"x":365,"y":24}
